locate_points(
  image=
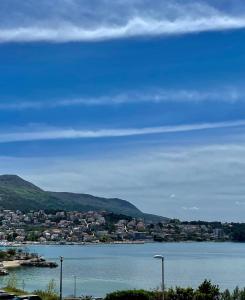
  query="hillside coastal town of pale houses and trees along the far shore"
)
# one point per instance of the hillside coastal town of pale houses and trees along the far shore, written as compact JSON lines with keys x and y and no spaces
{"x":74,"y":227}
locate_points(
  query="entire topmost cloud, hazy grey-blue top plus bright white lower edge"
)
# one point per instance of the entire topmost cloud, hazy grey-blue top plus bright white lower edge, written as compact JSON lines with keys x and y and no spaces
{"x":83,"y":21}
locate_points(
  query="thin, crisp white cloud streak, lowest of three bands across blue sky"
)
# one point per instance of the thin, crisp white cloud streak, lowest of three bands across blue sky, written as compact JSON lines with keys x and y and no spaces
{"x":55,"y":134}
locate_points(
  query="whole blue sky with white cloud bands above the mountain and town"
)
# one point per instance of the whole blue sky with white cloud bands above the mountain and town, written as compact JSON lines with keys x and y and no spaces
{"x":136,"y":99}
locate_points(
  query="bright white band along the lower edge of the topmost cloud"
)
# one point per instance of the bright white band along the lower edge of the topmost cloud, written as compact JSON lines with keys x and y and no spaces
{"x":135,"y":27}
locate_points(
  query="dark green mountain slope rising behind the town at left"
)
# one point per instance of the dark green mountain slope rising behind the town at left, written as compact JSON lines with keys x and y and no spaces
{"x":17,"y":193}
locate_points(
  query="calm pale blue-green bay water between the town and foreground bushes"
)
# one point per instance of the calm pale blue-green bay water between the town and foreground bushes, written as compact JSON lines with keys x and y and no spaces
{"x":104,"y":268}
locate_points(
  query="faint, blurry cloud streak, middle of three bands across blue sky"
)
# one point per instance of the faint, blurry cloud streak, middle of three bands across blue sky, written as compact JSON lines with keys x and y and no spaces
{"x":152,"y":95}
